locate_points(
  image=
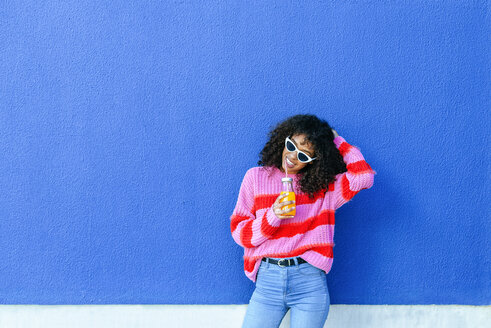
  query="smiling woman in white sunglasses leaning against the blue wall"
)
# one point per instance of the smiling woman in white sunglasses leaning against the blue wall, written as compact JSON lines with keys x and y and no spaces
{"x":288,"y":257}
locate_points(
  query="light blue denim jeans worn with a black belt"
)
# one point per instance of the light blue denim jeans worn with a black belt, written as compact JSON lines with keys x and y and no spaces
{"x":301,"y":288}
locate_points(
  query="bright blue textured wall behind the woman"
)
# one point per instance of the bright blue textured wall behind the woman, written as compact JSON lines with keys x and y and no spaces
{"x":126,"y":129}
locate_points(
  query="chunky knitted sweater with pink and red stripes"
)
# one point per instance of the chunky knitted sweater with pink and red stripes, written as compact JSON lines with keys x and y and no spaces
{"x":310,"y":234}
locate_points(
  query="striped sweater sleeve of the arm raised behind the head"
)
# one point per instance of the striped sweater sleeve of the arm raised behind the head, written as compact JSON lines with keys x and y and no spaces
{"x":359,"y":175}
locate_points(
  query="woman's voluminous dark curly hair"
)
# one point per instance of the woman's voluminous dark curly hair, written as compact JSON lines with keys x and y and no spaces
{"x":328,"y":163}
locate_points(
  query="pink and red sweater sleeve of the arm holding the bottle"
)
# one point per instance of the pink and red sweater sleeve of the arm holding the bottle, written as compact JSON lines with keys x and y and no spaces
{"x":248,"y":230}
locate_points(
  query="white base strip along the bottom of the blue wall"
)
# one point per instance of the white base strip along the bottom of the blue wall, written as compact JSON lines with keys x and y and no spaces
{"x":230,"y":316}
